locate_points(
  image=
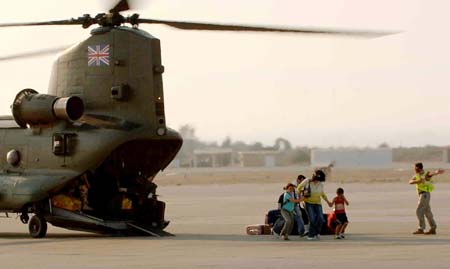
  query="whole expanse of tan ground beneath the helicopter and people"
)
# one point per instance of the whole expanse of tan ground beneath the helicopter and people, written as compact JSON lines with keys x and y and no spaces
{"x":209,"y":222}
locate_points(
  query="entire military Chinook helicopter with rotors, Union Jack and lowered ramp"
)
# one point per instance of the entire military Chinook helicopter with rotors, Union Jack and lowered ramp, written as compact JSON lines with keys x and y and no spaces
{"x":83,"y":155}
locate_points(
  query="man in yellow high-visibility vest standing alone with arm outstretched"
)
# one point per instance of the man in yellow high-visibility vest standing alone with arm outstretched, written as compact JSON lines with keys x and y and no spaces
{"x":424,"y":187}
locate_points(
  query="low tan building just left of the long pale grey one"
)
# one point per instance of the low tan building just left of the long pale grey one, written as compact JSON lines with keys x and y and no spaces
{"x":262,"y":158}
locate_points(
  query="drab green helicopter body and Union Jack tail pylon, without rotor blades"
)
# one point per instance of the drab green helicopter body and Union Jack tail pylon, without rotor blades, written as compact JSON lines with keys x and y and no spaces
{"x":122,"y":134}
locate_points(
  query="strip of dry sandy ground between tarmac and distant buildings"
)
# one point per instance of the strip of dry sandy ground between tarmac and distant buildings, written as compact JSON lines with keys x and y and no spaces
{"x":201,"y":176}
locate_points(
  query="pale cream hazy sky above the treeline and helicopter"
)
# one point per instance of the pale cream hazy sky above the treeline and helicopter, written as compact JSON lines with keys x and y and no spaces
{"x":312,"y":90}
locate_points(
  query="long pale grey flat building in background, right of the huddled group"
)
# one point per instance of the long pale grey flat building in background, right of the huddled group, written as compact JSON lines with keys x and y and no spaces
{"x":352,"y":158}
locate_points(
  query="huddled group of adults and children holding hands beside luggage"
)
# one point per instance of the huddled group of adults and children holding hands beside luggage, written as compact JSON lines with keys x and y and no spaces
{"x":310,"y":192}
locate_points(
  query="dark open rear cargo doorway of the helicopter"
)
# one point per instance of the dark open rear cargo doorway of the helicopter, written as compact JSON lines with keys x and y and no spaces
{"x":122,"y":187}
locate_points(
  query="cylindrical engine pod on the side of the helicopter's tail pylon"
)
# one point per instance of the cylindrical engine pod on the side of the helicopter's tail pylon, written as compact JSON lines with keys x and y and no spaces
{"x":30,"y":108}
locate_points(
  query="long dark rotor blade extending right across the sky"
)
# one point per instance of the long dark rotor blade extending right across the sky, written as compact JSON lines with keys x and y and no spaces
{"x":254,"y":28}
